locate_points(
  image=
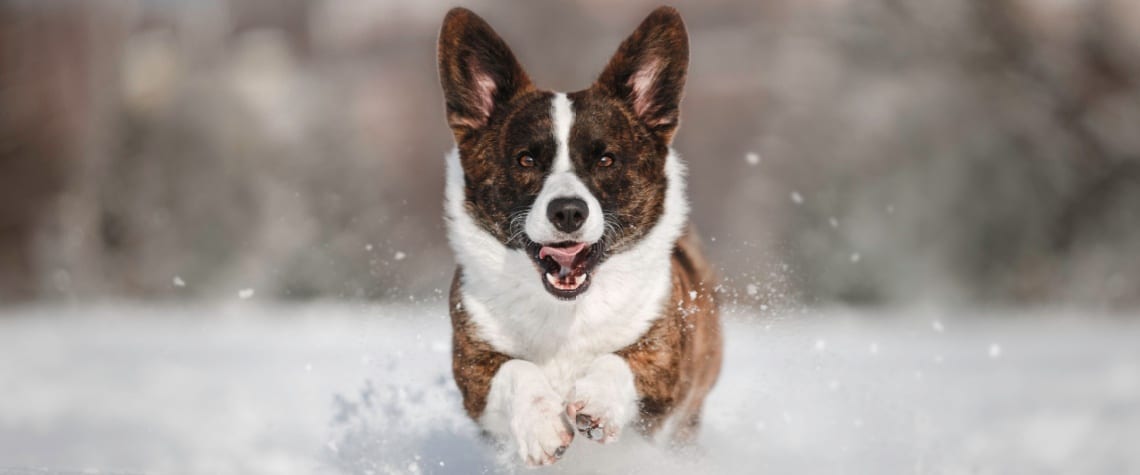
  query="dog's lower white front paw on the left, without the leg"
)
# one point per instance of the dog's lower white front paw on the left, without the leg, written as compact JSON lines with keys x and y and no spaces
{"x":541,"y":430}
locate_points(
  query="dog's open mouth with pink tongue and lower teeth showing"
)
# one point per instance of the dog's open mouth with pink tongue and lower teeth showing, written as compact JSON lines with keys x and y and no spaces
{"x":565,"y":267}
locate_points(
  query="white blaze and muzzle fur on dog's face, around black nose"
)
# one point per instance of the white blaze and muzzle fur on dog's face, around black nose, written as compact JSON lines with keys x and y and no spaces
{"x":563,"y":183}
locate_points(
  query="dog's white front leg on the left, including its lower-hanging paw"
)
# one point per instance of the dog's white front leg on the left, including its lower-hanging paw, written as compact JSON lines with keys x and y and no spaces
{"x":523,"y":407}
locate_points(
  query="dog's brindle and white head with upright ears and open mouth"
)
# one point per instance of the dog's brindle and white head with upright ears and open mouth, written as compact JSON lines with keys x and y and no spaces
{"x":574,"y":178}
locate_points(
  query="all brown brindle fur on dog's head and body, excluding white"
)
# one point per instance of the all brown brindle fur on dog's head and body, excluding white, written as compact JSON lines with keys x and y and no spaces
{"x":678,"y":361}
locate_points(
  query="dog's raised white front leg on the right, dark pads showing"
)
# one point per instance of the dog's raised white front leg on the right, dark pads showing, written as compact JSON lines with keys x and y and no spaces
{"x":605,"y":400}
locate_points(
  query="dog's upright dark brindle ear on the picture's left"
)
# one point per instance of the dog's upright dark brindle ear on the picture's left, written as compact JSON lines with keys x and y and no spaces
{"x":477,"y":70}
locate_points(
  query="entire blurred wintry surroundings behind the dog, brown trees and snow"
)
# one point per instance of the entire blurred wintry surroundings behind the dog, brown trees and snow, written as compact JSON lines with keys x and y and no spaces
{"x":222,"y":244}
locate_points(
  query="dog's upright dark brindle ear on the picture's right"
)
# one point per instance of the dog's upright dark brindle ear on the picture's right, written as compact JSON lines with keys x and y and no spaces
{"x":648,"y":71}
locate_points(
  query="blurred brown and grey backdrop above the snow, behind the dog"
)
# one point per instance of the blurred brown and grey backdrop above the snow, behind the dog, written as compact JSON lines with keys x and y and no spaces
{"x":866,"y":152}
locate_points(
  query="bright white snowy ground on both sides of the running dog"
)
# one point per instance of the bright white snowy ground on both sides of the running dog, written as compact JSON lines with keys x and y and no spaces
{"x":250,"y":388}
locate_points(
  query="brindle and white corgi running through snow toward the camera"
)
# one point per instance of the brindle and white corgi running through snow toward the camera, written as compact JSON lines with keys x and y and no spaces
{"x":581,"y":301}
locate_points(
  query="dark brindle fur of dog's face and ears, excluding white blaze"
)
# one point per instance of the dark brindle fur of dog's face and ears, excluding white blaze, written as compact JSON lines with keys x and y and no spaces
{"x":491,"y":142}
